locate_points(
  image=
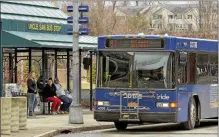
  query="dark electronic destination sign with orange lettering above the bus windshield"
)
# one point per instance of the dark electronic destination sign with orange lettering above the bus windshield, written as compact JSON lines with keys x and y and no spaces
{"x":134,"y":43}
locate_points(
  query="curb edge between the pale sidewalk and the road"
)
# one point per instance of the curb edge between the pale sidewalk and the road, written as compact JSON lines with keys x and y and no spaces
{"x":74,"y":130}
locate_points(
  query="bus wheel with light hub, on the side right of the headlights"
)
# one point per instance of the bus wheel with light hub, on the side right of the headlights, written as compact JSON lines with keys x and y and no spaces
{"x":192,"y":115}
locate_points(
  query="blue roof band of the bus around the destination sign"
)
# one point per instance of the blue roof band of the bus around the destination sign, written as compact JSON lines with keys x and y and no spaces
{"x":171,"y":42}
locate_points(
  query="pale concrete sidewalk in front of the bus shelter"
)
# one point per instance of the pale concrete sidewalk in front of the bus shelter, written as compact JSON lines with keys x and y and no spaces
{"x":40,"y":124}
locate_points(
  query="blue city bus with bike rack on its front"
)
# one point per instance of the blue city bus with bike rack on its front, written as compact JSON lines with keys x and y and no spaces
{"x":157,"y":79}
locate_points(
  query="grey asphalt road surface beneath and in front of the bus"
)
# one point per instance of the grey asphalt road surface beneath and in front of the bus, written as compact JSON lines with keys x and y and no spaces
{"x":208,"y":128}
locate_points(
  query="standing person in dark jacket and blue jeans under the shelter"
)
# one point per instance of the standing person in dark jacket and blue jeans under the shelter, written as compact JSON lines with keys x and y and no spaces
{"x":32,"y":93}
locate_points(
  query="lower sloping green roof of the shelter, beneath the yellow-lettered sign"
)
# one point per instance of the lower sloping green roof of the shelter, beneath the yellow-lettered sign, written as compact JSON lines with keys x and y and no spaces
{"x":29,"y":39}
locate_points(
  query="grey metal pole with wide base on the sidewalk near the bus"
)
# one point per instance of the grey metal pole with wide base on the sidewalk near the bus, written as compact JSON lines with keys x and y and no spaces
{"x":75,"y":111}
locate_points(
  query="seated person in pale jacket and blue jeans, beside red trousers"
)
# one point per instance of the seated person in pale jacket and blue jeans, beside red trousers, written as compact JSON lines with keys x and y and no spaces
{"x":62,"y":96}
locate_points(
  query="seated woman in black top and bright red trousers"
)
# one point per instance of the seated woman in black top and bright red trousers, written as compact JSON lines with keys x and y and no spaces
{"x":49,"y":94}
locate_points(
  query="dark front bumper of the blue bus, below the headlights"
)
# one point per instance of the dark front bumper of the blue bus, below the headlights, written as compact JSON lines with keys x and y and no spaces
{"x":154,"y":117}
